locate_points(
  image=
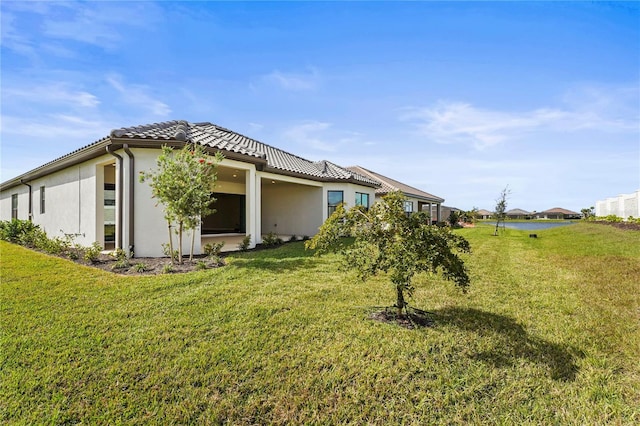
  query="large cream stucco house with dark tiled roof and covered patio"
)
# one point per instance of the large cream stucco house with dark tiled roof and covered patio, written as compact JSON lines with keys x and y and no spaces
{"x":95,"y":195}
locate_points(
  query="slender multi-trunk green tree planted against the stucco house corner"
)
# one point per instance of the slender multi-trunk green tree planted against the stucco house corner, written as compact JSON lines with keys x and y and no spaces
{"x":182,"y":183}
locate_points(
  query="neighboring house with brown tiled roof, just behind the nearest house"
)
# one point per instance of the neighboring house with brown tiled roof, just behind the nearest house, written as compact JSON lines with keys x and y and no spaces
{"x":417,"y":200}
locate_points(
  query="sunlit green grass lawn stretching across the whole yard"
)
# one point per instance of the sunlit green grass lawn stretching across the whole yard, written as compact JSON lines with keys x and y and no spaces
{"x":549,"y":333}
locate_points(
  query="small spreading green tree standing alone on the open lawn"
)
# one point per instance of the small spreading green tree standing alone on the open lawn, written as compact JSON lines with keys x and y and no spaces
{"x":389,"y":241}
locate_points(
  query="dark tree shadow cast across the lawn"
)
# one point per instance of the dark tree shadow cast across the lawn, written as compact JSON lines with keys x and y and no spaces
{"x":512,"y":342}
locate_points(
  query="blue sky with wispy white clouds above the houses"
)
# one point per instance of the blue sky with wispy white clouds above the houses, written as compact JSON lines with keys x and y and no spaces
{"x":459,"y":99}
